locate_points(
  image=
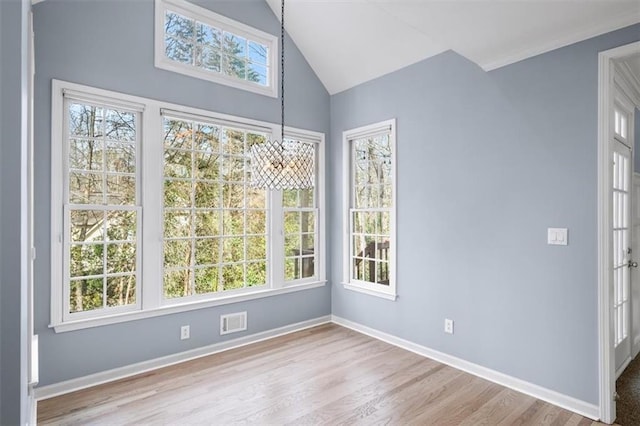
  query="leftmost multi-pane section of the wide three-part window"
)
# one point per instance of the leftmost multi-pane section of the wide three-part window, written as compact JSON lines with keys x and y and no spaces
{"x":101,"y":230}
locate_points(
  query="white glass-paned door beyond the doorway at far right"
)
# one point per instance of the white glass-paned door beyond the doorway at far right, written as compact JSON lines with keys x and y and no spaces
{"x":622,"y":260}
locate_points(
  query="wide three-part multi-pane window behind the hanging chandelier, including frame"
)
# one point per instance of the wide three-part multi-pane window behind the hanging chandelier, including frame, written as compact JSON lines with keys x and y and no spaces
{"x":153,"y":211}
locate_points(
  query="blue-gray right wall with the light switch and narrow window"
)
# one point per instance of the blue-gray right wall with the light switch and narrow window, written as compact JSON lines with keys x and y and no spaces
{"x":486,"y":163}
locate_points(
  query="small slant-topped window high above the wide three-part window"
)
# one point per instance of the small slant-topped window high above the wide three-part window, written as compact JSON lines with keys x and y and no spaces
{"x":198,"y":42}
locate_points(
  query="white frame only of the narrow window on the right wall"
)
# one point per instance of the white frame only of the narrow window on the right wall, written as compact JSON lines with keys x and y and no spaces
{"x":384,"y":291}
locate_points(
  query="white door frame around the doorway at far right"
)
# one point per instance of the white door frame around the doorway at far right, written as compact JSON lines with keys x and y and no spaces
{"x":607,"y":376}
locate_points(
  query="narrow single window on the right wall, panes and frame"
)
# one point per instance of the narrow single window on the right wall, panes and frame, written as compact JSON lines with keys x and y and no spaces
{"x":369,"y":173}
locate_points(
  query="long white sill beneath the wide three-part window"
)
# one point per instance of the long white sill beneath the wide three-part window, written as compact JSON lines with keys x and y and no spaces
{"x":183,"y":307}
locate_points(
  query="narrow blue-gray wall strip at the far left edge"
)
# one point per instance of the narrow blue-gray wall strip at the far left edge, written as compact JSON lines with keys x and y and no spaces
{"x":13,"y":313}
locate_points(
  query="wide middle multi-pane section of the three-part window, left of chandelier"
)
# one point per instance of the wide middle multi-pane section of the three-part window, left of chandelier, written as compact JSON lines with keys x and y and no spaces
{"x":215,"y":229}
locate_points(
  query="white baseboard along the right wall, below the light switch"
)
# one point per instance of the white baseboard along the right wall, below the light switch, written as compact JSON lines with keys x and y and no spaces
{"x":572,"y":404}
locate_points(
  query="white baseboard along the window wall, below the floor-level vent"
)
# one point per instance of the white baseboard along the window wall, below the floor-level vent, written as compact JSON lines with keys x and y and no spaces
{"x":84,"y":382}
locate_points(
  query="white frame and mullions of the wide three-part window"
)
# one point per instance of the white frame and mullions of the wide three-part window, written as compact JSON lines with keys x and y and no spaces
{"x":150,"y":298}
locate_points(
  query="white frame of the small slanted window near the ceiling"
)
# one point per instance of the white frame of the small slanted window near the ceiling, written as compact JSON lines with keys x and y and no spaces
{"x":213,"y":19}
